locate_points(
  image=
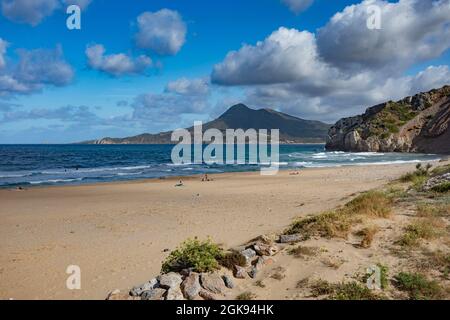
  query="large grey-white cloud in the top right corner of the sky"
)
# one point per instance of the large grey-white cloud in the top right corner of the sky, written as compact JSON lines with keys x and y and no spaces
{"x":411,"y":31}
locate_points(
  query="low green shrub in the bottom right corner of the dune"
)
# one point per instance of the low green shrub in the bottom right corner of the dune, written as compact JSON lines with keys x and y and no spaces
{"x":418,"y":286}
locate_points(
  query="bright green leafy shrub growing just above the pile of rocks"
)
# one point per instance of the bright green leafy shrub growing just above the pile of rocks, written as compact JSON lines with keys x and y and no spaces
{"x":201,"y":256}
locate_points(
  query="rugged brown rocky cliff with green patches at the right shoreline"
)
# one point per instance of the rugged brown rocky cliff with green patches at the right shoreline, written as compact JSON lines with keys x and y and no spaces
{"x":415,"y":124}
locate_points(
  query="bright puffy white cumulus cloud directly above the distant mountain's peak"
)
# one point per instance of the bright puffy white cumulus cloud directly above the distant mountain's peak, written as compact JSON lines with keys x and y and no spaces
{"x":286,"y":55}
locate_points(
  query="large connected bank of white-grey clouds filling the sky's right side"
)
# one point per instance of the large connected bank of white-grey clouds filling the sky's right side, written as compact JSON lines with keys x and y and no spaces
{"x":344,"y":67}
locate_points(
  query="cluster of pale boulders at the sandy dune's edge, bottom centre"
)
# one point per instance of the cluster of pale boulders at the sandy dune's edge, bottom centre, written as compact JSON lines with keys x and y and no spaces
{"x":191,"y":285}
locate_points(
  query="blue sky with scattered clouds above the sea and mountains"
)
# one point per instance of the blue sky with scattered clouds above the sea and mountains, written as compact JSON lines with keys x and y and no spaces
{"x":146,"y":66}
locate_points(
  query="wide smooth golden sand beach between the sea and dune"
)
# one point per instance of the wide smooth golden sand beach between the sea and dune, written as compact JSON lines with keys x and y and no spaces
{"x":119,"y":233}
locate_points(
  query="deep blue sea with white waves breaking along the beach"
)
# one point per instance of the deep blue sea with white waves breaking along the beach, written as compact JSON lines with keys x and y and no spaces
{"x":42,"y":165}
